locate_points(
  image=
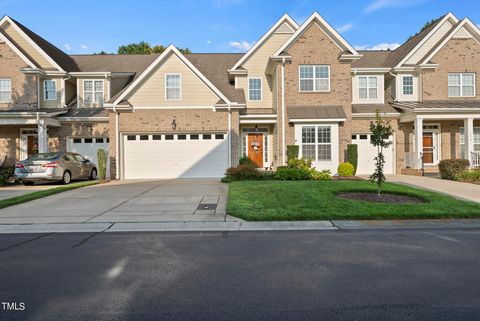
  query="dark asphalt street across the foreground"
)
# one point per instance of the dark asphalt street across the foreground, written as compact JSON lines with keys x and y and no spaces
{"x":322,"y":275}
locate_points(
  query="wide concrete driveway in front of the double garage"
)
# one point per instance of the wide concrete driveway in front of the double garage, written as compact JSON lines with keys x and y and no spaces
{"x":127,"y":201}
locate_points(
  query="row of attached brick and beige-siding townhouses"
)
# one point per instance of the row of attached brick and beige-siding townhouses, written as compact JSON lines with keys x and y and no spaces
{"x":173,"y":115}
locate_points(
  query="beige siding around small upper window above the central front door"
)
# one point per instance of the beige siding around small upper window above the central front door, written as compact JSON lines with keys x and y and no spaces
{"x":256,"y":65}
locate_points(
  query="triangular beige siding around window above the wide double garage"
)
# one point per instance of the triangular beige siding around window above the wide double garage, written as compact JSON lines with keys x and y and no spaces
{"x":151,"y":92}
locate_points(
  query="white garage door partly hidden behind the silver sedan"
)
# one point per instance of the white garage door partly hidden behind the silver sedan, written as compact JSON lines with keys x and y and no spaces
{"x":88,"y":147}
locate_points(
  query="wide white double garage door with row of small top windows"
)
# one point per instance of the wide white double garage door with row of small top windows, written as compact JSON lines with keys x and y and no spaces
{"x":175,"y":155}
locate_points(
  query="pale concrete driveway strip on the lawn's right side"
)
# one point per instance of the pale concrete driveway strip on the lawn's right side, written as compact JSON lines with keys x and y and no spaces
{"x":463,"y":191}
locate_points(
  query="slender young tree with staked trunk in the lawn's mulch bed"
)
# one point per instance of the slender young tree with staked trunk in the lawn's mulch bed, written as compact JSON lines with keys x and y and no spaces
{"x":381,"y":130}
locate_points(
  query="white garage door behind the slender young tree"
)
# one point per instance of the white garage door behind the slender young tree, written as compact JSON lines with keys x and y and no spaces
{"x":367,"y":152}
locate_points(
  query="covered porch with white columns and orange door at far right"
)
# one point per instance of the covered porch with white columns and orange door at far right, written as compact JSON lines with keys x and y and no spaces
{"x":438,"y":130}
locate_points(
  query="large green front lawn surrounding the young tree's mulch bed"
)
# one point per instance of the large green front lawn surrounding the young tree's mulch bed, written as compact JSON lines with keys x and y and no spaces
{"x":317,"y":200}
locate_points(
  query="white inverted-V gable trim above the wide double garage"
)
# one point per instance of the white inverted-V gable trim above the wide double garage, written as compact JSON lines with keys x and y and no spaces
{"x":170,"y":50}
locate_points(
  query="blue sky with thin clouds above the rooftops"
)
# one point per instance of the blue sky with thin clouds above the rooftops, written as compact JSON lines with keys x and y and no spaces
{"x":86,"y":26}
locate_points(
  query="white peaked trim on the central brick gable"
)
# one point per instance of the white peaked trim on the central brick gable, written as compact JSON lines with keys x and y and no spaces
{"x":326,"y":27}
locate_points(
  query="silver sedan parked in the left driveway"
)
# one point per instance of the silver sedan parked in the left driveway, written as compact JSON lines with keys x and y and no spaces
{"x":61,"y":167}
